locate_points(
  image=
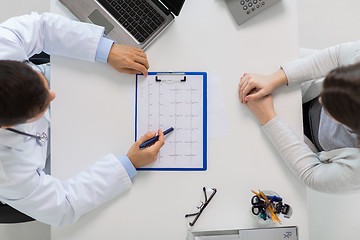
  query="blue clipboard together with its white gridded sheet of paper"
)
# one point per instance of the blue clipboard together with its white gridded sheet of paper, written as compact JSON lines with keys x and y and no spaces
{"x":178,"y":100}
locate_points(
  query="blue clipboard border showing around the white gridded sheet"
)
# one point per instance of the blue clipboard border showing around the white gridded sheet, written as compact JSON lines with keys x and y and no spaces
{"x":186,"y":77}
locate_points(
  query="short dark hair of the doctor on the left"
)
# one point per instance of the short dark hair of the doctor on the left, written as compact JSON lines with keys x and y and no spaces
{"x":23,"y":94}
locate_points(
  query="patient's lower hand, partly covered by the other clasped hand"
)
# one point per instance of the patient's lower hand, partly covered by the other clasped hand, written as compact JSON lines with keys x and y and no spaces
{"x":262,"y":108}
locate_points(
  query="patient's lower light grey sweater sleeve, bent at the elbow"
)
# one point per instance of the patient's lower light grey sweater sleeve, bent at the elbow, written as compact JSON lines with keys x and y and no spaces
{"x":333,"y":171}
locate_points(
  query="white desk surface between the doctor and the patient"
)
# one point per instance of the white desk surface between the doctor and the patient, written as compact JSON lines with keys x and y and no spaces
{"x":91,"y":117}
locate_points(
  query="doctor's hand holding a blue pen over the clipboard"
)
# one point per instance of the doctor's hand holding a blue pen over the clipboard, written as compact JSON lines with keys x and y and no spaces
{"x":140,"y":157}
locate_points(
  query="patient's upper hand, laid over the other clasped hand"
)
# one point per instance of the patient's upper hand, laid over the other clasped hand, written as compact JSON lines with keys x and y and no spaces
{"x":262,"y":84}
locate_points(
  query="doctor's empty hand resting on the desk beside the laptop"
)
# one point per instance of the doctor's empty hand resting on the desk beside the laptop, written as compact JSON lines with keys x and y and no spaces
{"x":128,"y":59}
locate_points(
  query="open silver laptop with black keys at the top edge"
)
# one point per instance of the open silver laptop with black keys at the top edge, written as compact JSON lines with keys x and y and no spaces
{"x":135,"y":23}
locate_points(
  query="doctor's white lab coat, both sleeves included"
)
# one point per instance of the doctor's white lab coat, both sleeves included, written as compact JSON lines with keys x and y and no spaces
{"x":23,"y":184}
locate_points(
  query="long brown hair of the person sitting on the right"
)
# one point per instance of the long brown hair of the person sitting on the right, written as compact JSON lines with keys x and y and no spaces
{"x":341,"y":96}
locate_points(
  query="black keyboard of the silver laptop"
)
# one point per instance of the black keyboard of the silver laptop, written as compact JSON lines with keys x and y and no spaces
{"x":137,"y":16}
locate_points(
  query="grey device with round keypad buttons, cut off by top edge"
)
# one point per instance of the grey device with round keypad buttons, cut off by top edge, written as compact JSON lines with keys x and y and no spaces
{"x":243,"y":10}
